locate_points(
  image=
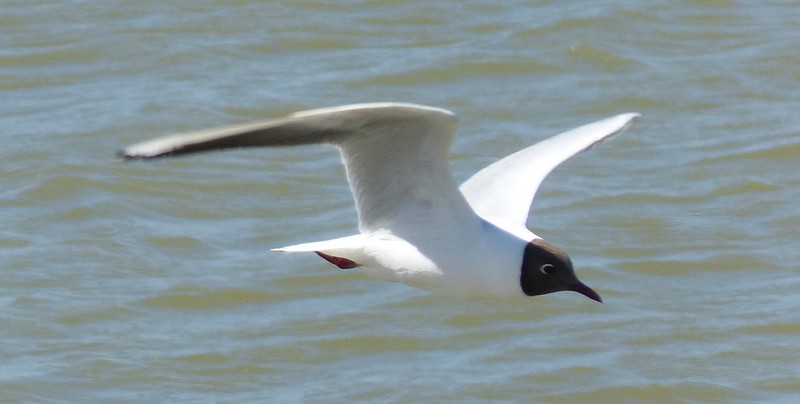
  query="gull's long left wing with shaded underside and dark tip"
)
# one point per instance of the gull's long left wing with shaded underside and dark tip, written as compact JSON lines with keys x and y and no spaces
{"x":396,"y":157}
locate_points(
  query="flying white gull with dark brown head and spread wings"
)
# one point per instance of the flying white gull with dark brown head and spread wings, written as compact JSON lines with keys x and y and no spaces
{"x":416,"y":225}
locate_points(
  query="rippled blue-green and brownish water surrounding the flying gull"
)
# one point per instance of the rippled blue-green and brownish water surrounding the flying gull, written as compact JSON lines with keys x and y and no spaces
{"x":151,"y":282}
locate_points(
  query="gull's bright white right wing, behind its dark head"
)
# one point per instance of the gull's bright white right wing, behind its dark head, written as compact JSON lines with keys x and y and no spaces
{"x":502,"y":193}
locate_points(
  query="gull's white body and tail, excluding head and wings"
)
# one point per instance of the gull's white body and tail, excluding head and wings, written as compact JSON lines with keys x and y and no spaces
{"x":481,"y":261}
